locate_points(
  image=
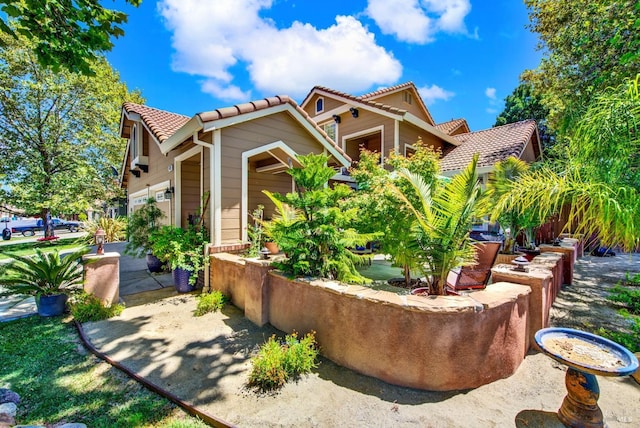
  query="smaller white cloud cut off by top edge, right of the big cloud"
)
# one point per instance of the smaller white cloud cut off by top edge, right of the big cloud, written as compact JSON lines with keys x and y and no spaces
{"x":417,"y":21}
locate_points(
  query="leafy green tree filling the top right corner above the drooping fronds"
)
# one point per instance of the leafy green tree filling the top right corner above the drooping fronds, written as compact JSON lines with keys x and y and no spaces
{"x":588,"y":45}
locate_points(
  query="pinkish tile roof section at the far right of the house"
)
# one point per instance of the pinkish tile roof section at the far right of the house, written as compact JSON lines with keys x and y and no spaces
{"x":493,"y":145}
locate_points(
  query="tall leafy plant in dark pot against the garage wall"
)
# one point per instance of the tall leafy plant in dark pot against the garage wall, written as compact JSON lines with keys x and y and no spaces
{"x":142,"y":223}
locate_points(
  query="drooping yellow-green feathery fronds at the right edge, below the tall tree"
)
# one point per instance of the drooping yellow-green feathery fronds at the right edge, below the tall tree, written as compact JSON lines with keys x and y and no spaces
{"x":598,"y":182}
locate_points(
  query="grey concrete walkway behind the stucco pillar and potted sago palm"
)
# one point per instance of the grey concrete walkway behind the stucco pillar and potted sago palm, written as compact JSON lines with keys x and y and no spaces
{"x":137,"y":286}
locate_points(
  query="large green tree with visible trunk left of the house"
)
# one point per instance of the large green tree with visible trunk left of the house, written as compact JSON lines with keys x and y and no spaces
{"x":59,"y":136}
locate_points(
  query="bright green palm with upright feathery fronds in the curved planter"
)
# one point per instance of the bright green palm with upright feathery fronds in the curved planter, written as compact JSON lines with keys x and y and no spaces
{"x":442,"y":220}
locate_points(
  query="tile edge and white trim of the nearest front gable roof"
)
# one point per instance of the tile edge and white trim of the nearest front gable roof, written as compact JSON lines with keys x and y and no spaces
{"x":238,"y":109}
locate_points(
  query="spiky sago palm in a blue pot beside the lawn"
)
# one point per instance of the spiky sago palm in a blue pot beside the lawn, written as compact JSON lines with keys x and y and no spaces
{"x":47,"y":276}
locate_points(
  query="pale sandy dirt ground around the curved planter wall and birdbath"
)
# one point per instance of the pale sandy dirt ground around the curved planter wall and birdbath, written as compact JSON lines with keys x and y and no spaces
{"x":206,"y":361}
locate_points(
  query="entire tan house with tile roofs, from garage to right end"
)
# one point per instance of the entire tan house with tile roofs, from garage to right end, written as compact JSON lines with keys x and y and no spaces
{"x":223,"y":159}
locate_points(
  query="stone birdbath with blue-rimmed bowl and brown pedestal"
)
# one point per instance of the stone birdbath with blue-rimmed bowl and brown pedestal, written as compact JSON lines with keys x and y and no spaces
{"x":586,"y":355}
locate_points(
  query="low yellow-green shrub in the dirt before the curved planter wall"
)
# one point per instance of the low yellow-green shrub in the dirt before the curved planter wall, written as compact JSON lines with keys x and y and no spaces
{"x":277,"y":362}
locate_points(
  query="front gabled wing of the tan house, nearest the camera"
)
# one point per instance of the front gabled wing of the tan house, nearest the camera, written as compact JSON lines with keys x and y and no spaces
{"x":220,"y":160}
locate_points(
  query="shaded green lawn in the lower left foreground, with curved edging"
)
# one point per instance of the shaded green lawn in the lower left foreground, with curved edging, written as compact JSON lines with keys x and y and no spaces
{"x":42,"y":359}
